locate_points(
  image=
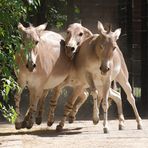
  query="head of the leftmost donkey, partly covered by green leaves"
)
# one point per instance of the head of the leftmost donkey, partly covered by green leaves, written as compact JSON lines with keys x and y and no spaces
{"x":30,"y":38}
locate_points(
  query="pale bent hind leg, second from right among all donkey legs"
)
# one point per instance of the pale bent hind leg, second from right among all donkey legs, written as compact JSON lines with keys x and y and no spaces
{"x":117,"y":98}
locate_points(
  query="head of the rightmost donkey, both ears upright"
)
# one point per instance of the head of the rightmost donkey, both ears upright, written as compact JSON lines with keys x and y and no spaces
{"x":106,"y":46}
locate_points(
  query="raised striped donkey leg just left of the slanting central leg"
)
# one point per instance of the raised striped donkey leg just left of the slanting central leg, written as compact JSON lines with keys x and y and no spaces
{"x":52,"y":104}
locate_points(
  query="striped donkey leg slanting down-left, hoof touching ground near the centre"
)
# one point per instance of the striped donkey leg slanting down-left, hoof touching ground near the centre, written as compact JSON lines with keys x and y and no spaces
{"x":69,"y":105}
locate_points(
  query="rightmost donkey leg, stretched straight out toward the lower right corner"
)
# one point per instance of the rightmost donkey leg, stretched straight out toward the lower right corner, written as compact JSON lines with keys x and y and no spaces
{"x":127,"y":88}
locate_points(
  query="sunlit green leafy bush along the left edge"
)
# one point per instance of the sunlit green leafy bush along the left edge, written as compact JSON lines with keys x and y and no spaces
{"x":10,"y":14}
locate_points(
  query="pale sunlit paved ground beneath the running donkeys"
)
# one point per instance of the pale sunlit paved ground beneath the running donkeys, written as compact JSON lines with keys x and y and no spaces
{"x":81,"y":134}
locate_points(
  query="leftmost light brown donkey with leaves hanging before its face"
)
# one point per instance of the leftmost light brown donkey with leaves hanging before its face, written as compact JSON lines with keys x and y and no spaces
{"x":42,"y":65}
